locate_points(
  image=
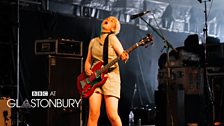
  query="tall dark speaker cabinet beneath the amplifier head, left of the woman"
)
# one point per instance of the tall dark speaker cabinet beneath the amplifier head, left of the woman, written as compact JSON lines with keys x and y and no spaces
{"x":62,"y":80}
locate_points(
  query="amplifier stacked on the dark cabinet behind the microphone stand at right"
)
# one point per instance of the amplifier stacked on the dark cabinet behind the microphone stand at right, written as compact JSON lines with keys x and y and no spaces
{"x":191,"y":79}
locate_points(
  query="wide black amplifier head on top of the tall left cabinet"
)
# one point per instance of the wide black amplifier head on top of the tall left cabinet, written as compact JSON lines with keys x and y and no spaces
{"x":58,"y":47}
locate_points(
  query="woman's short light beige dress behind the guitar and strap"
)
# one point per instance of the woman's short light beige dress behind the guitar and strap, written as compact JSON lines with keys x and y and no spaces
{"x":112,"y":86}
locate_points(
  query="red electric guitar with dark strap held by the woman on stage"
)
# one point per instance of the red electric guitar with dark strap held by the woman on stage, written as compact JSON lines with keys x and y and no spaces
{"x":87,"y":84}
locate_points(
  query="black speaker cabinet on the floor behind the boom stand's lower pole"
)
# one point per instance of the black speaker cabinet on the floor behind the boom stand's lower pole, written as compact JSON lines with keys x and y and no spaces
{"x":170,"y":108}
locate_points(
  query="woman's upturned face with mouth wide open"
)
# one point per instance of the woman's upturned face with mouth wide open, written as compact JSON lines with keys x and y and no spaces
{"x":108,"y":25}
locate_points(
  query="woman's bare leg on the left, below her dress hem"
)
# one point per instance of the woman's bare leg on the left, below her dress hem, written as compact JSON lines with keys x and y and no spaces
{"x":94,"y":109}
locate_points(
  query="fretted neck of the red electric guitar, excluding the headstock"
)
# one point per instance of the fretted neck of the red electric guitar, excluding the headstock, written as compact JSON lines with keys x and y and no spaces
{"x":106,"y":67}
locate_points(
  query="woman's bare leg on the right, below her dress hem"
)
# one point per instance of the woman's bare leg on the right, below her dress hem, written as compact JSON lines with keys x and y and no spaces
{"x":112,"y":110}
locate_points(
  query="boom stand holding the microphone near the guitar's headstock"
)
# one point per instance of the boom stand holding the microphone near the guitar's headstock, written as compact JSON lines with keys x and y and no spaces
{"x":167,"y":46}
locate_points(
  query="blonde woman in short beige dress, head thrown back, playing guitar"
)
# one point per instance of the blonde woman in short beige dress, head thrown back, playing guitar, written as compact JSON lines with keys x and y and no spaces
{"x":110,"y":90}
